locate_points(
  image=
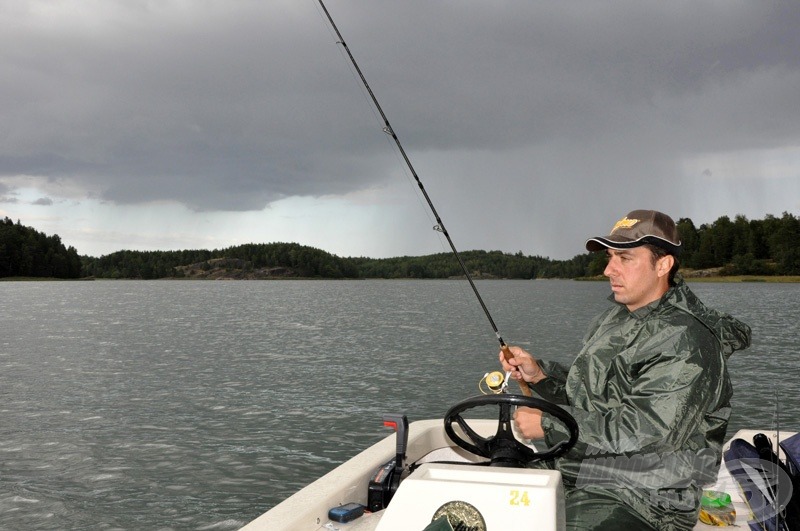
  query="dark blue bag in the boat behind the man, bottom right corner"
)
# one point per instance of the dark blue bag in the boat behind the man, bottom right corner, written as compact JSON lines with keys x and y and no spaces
{"x":770,"y":487}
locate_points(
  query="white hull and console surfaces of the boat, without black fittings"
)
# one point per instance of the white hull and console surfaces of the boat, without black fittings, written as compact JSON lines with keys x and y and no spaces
{"x":495,"y":492}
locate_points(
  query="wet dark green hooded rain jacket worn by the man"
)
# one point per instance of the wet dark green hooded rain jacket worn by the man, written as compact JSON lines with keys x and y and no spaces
{"x":650,"y":392}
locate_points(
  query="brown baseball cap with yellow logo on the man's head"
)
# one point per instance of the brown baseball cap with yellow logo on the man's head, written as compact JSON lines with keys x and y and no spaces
{"x":638,"y":228}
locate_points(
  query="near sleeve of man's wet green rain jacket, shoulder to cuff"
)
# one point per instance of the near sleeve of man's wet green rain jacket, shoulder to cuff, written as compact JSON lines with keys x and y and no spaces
{"x":663,"y":388}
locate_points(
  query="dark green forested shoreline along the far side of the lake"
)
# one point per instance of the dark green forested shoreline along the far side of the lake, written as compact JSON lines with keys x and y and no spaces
{"x":770,"y":246}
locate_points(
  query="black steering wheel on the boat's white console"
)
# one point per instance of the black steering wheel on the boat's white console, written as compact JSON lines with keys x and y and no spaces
{"x":503,"y":449}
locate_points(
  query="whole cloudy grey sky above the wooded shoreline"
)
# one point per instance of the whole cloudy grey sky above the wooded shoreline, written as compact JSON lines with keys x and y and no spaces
{"x":178,"y":124}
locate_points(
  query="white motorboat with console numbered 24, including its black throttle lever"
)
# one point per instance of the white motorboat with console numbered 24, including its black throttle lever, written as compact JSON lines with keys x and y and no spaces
{"x":430,"y":469}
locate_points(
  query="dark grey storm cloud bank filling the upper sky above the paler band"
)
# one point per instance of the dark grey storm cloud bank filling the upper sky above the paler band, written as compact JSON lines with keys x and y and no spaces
{"x":232,"y":105}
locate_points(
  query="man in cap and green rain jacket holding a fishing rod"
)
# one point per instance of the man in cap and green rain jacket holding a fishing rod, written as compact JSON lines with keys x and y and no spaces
{"x":649,"y":389}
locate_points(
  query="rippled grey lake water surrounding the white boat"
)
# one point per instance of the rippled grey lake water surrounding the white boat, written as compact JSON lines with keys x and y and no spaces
{"x":199,"y":404}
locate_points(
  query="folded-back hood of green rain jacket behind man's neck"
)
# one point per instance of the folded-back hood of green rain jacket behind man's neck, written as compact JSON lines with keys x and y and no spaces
{"x":732,"y":334}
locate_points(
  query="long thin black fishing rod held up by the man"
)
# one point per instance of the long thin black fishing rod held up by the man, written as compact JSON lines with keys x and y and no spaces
{"x":387,"y":128}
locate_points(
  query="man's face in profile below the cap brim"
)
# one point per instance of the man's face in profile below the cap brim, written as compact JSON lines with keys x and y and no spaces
{"x":635,"y":280}
